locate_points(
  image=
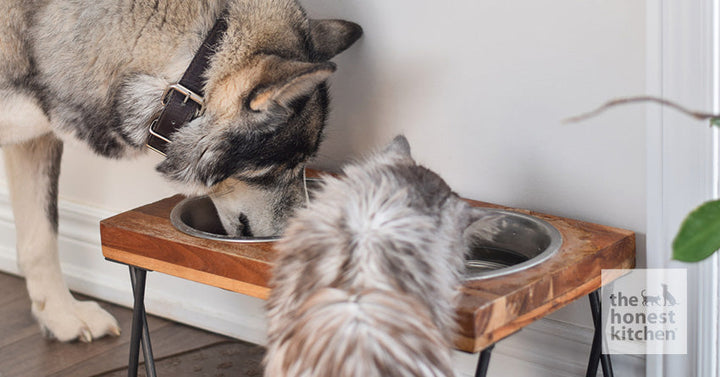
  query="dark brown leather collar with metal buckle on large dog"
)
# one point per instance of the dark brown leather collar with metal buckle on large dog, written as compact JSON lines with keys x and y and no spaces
{"x":184,"y":100}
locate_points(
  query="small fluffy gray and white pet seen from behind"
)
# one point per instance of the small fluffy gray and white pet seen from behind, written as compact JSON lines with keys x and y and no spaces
{"x":368,"y":274}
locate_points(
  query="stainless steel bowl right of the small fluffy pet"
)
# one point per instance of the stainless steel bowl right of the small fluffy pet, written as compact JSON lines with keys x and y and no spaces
{"x":502,"y":242}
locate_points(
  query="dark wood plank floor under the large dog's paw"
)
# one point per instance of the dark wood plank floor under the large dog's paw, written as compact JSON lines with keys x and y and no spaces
{"x":179,"y":350}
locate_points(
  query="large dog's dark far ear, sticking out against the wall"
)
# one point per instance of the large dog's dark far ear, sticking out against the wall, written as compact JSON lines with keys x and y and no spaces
{"x":331,"y":37}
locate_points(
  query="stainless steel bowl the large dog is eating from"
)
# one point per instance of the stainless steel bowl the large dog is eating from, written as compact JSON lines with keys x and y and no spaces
{"x":197,"y":216}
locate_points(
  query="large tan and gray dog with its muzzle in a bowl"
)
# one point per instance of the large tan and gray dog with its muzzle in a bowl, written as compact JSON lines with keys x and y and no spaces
{"x":96,"y":70}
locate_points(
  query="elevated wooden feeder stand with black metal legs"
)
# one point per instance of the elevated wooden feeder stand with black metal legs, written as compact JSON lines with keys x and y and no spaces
{"x":491,"y":309}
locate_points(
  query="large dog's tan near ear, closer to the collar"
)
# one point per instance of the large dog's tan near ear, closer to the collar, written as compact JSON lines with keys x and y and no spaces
{"x":299,"y":79}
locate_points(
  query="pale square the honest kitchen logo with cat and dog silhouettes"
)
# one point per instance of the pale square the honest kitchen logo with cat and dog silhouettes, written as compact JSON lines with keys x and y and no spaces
{"x":645,"y":311}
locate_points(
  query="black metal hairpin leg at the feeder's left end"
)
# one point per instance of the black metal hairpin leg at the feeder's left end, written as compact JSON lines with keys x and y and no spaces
{"x":140,"y":332}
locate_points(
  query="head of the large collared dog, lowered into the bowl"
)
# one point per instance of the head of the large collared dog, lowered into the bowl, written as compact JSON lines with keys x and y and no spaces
{"x":265,"y":107}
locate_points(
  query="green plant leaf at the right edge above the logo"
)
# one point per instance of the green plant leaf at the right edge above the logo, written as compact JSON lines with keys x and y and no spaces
{"x":699,"y":234}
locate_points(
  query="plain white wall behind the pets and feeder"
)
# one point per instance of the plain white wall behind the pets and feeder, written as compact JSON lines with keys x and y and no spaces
{"x":479,"y":88}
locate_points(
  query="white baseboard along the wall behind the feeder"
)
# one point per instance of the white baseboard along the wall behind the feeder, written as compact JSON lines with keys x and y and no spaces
{"x":545,"y":348}
